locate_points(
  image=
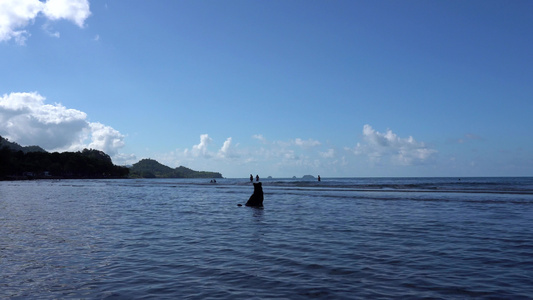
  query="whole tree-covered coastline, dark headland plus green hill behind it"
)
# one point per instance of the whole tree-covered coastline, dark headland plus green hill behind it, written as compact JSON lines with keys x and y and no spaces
{"x":33,"y":162}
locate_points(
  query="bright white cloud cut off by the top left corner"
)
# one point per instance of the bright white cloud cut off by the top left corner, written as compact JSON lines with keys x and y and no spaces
{"x":15,"y":15}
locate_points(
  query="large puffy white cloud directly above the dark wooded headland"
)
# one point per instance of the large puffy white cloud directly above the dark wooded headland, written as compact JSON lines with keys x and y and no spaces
{"x":26,"y":119}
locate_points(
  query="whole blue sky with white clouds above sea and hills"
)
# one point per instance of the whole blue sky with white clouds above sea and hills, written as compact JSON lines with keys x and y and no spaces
{"x":275,"y":88}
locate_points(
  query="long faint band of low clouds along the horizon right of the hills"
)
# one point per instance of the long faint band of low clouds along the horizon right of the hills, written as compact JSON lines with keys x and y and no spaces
{"x":299,"y":156}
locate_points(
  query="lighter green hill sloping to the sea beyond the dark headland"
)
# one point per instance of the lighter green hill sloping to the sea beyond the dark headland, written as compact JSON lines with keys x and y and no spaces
{"x":149,"y":168}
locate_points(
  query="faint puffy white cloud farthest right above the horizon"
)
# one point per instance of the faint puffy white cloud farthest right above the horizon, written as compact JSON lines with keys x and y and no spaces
{"x":401,"y":151}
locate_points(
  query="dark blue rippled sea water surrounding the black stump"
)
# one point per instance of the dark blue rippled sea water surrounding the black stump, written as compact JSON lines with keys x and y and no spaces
{"x":338,"y":239}
